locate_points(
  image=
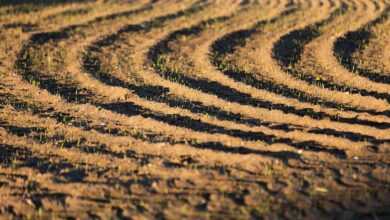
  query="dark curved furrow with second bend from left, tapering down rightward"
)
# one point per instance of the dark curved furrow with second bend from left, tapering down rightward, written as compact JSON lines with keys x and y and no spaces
{"x":93,"y":62}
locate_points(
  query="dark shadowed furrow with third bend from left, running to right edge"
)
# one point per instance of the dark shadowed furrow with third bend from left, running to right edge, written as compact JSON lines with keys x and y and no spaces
{"x":232,"y":95}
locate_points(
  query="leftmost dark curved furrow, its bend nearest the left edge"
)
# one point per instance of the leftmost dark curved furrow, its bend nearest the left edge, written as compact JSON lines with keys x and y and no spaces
{"x":28,"y":61}
